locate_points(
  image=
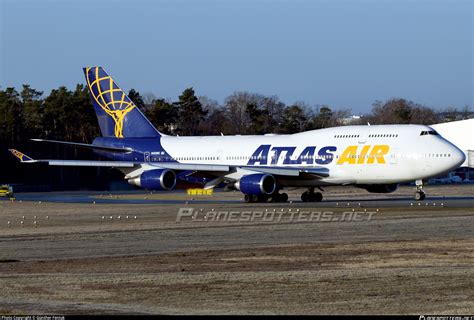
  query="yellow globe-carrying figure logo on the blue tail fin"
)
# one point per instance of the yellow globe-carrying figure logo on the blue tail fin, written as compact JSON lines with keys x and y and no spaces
{"x":109,"y":97}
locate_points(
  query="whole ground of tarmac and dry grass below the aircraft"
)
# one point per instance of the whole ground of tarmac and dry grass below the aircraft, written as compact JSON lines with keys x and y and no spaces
{"x":130,"y":255}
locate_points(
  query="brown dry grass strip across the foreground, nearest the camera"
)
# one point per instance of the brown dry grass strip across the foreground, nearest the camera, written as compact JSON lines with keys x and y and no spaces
{"x":388,"y":277}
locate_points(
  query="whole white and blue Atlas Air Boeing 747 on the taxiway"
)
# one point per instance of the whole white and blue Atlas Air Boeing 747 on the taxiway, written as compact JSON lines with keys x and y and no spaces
{"x":376,"y":158}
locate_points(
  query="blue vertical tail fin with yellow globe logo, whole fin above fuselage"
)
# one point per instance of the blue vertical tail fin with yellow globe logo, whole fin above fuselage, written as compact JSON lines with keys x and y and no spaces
{"x":118,"y":116}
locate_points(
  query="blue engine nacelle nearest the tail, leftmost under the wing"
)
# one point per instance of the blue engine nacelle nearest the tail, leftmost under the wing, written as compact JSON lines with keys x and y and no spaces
{"x":158,"y":179}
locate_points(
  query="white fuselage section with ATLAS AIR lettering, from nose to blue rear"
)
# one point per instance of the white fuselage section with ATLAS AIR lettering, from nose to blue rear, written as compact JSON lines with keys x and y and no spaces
{"x":378,"y":154}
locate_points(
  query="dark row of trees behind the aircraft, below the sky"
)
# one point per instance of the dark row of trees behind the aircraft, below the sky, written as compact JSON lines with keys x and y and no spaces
{"x":69,"y":115}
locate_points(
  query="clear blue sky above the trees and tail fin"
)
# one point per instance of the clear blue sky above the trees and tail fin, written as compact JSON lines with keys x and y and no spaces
{"x":346,"y":54}
